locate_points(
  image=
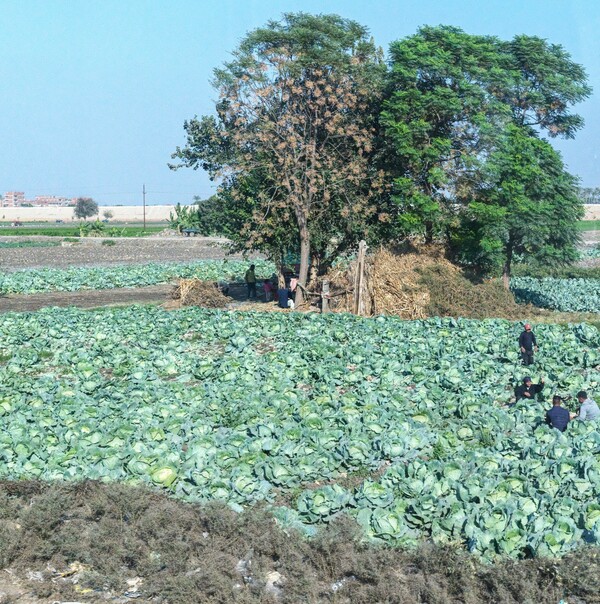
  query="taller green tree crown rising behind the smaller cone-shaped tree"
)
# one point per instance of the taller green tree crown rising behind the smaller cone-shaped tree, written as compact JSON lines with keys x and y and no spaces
{"x":449,"y":100}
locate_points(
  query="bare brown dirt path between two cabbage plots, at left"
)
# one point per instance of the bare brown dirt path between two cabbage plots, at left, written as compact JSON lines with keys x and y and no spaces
{"x":86,"y":298}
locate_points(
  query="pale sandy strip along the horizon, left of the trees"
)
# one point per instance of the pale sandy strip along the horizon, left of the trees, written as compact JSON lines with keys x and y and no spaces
{"x":120,"y":214}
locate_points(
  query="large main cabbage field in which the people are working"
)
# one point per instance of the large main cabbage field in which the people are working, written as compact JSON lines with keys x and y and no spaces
{"x":400,"y":425}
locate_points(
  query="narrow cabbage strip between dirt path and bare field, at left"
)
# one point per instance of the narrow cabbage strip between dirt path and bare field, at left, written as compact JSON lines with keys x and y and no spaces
{"x":32,"y":281}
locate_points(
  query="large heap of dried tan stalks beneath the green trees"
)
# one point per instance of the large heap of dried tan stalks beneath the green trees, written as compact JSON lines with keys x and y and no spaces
{"x":419,"y":283}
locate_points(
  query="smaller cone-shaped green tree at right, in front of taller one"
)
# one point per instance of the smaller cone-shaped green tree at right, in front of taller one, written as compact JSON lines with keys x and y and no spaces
{"x":525,"y":205}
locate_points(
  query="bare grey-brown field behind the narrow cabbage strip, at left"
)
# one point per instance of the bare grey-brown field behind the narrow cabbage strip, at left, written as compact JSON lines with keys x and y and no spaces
{"x":127,"y":250}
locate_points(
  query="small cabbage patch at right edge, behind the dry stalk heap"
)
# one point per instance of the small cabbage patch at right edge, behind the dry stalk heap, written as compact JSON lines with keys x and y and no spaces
{"x":567,"y":295}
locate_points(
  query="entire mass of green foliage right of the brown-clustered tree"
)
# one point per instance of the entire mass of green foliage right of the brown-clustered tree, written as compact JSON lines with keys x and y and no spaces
{"x":461,"y":120}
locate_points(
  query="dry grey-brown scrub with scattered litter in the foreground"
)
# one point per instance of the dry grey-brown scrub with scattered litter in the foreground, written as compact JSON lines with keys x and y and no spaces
{"x":84,"y":542}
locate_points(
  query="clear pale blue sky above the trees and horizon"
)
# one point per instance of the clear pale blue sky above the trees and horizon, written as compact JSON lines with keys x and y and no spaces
{"x":94,"y":93}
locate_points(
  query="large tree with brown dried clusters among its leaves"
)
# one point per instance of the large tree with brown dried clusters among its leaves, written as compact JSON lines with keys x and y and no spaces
{"x":293,"y":137}
